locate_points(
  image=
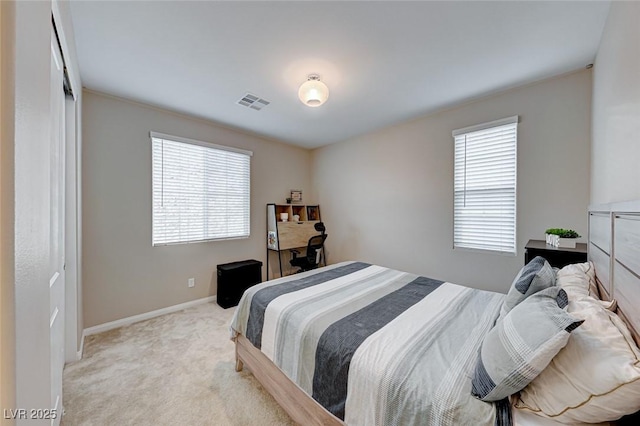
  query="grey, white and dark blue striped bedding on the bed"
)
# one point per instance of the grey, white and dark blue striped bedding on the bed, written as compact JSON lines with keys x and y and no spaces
{"x":376,"y":346}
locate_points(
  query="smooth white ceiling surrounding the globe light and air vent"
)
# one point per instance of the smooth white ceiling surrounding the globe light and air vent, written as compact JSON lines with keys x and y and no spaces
{"x":384,"y":62}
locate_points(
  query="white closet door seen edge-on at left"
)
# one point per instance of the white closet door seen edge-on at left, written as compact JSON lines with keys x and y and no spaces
{"x":57,"y":278}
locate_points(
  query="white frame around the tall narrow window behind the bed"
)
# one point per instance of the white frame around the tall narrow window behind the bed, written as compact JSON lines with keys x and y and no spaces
{"x":476,"y":128}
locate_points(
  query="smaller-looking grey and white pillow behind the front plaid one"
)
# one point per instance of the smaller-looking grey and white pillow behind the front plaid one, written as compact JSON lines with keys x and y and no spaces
{"x":533,"y":277}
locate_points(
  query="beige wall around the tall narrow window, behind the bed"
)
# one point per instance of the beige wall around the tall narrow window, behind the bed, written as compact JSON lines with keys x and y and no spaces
{"x":387,"y":197}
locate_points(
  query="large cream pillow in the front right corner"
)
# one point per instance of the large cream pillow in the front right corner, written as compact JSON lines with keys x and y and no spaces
{"x":595,"y":378}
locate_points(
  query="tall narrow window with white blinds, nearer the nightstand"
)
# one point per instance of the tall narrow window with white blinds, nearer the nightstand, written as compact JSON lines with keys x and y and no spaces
{"x":485,"y":186}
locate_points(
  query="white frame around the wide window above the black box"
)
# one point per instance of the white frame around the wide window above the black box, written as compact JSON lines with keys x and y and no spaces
{"x":178,"y":139}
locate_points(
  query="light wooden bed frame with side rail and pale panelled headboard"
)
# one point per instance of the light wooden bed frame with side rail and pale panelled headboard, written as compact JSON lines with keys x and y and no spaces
{"x":614,"y":248}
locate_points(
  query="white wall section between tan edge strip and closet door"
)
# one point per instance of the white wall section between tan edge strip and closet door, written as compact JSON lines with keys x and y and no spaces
{"x":32,"y":228}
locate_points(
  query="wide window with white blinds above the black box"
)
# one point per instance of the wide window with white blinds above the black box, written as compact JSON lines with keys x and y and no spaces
{"x":200,"y":191}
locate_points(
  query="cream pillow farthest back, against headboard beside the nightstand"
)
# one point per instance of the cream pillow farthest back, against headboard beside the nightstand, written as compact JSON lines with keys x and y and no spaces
{"x":579,"y":280}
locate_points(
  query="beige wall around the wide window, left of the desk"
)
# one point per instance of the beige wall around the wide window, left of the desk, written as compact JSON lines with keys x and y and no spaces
{"x":123,"y":275}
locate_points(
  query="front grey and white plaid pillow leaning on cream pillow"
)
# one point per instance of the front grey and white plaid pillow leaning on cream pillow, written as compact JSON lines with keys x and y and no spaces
{"x":520,"y":346}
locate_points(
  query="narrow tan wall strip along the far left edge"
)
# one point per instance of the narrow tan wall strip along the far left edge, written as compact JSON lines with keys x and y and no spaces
{"x":7,"y":290}
